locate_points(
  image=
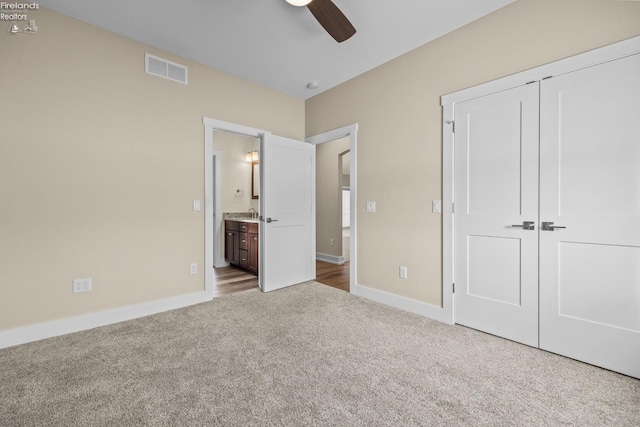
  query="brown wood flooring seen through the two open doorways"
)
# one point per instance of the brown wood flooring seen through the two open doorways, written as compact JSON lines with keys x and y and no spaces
{"x":229,"y":280}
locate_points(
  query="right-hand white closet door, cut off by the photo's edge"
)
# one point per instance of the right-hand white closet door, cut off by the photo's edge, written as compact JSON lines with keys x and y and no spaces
{"x":590,"y":184}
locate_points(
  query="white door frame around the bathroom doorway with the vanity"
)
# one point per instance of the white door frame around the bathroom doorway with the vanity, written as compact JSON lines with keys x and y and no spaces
{"x":211,"y":125}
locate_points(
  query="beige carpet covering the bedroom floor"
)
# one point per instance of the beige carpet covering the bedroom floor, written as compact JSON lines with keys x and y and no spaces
{"x":309,"y":355}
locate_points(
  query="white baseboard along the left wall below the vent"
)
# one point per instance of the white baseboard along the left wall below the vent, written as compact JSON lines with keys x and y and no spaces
{"x":55,"y":328}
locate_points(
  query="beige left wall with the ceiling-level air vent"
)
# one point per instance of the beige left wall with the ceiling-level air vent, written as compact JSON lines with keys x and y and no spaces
{"x":99,"y":164}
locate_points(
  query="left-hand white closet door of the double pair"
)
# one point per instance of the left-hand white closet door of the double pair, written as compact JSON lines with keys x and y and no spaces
{"x":496,"y":192}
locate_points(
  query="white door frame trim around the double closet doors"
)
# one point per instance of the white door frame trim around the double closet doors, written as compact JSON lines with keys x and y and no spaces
{"x":574,"y":63}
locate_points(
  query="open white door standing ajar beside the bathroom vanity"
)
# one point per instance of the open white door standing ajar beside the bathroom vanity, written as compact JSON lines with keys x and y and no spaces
{"x":287,"y":208}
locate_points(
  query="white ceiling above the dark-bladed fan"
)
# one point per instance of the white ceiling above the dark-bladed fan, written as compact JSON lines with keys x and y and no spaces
{"x":275,"y":44}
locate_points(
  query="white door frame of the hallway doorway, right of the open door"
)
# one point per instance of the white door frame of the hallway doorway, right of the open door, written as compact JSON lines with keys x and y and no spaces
{"x":349,"y":131}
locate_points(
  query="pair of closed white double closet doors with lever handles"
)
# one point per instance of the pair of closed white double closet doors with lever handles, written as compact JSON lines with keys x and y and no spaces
{"x":547,"y":214}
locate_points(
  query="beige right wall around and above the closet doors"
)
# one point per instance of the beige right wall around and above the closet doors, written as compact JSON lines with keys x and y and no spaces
{"x":397,"y":106}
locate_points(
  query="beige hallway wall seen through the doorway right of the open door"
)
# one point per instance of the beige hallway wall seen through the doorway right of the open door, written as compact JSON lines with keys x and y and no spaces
{"x":329,"y":175}
